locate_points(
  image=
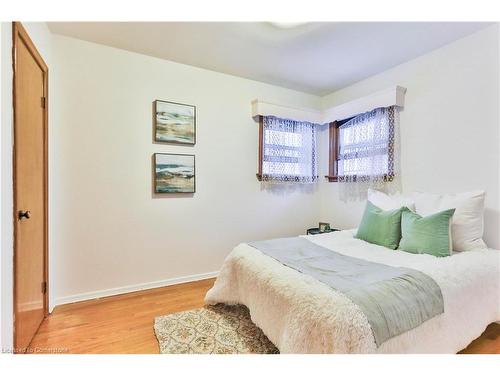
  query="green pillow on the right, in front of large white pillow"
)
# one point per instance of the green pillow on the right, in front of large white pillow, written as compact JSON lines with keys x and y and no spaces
{"x":426,"y":235}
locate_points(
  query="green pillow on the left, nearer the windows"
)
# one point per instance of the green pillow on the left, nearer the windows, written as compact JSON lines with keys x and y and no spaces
{"x":380,"y":227}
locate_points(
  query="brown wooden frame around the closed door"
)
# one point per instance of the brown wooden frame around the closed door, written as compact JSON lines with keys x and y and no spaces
{"x":20,"y":35}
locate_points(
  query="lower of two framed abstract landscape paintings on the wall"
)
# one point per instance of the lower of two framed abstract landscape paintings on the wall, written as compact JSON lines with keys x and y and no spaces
{"x":174,"y":173}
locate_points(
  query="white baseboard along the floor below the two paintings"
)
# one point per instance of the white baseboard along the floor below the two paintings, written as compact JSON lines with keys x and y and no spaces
{"x":131,"y":288}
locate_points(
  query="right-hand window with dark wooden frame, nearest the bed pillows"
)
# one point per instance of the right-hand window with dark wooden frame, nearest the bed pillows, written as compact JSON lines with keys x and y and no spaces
{"x":362,"y":147}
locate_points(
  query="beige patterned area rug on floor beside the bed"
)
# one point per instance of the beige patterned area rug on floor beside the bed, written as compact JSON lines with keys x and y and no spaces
{"x":219,"y":329}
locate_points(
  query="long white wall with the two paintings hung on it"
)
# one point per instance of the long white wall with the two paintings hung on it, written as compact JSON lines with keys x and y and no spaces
{"x":109,"y":231}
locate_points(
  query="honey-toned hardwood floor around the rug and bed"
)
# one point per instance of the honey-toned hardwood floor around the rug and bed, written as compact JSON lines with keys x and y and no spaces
{"x":124,"y":323}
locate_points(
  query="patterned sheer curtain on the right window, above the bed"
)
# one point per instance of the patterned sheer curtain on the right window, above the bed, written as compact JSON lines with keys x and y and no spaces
{"x":369,"y":154}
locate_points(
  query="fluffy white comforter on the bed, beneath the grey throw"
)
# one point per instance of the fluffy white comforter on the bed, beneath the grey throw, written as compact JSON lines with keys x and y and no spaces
{"x":302,"y":315}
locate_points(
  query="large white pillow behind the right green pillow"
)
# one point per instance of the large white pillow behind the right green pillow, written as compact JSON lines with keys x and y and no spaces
{"x":467,"y":223}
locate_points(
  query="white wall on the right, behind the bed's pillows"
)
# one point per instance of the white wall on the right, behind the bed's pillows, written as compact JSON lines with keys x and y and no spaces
{"x":449,"y":127}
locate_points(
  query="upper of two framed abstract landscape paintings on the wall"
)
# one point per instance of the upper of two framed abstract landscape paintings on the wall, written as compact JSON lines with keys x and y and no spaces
{"x":175,"y":123}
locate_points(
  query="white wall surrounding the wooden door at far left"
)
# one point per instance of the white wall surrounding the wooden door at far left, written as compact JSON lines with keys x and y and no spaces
{"x":42,"y":37}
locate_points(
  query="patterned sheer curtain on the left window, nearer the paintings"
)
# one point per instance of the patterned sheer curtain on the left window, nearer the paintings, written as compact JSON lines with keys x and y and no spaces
{"x":289,"y":151}
